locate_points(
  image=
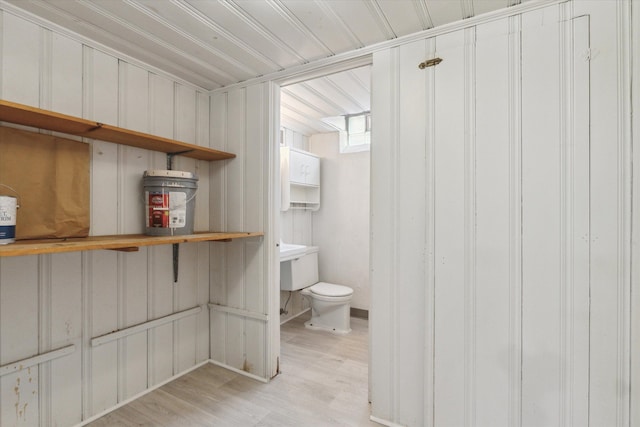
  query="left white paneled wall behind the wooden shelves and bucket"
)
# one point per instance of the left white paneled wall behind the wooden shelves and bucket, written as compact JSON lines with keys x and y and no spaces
{"x":49,"y":302}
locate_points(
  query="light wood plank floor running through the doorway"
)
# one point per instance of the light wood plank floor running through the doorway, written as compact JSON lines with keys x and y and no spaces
{"x":323,"y":382}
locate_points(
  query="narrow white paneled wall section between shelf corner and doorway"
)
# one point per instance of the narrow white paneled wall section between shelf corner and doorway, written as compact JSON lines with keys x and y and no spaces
{"x":244,"y":328}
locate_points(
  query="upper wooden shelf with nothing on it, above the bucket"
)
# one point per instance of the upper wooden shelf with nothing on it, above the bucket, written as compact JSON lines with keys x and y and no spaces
{"x":43,"y":119}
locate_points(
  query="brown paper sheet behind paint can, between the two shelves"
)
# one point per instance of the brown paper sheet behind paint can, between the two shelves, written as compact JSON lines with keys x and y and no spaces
{"x":51,"y":177}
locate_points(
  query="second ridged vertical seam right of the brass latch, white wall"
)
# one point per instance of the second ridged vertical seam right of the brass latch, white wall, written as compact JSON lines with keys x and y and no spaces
{"x":515,"y":223}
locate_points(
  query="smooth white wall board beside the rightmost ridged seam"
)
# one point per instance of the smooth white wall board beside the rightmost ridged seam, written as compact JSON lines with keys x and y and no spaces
{"x":606,"y":216}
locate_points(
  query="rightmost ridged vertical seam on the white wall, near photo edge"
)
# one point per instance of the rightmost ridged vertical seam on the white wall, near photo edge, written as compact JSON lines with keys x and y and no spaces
{"x":623,"y":17}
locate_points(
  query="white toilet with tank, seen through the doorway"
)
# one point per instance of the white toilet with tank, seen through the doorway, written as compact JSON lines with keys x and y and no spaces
{"x":330,"y":303}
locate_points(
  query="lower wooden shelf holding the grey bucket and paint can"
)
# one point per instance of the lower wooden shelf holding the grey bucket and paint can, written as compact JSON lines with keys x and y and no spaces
{"x":126,"y":243}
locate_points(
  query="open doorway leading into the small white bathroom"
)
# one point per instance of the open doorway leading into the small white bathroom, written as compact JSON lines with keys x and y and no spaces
{"x":315,"y":117}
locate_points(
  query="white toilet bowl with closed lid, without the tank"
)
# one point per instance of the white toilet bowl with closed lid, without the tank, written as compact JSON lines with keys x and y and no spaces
{"x":330,"y":307}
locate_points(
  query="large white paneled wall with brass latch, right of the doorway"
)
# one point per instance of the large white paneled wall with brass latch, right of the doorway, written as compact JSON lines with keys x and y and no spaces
{"x":501,"y":223}
